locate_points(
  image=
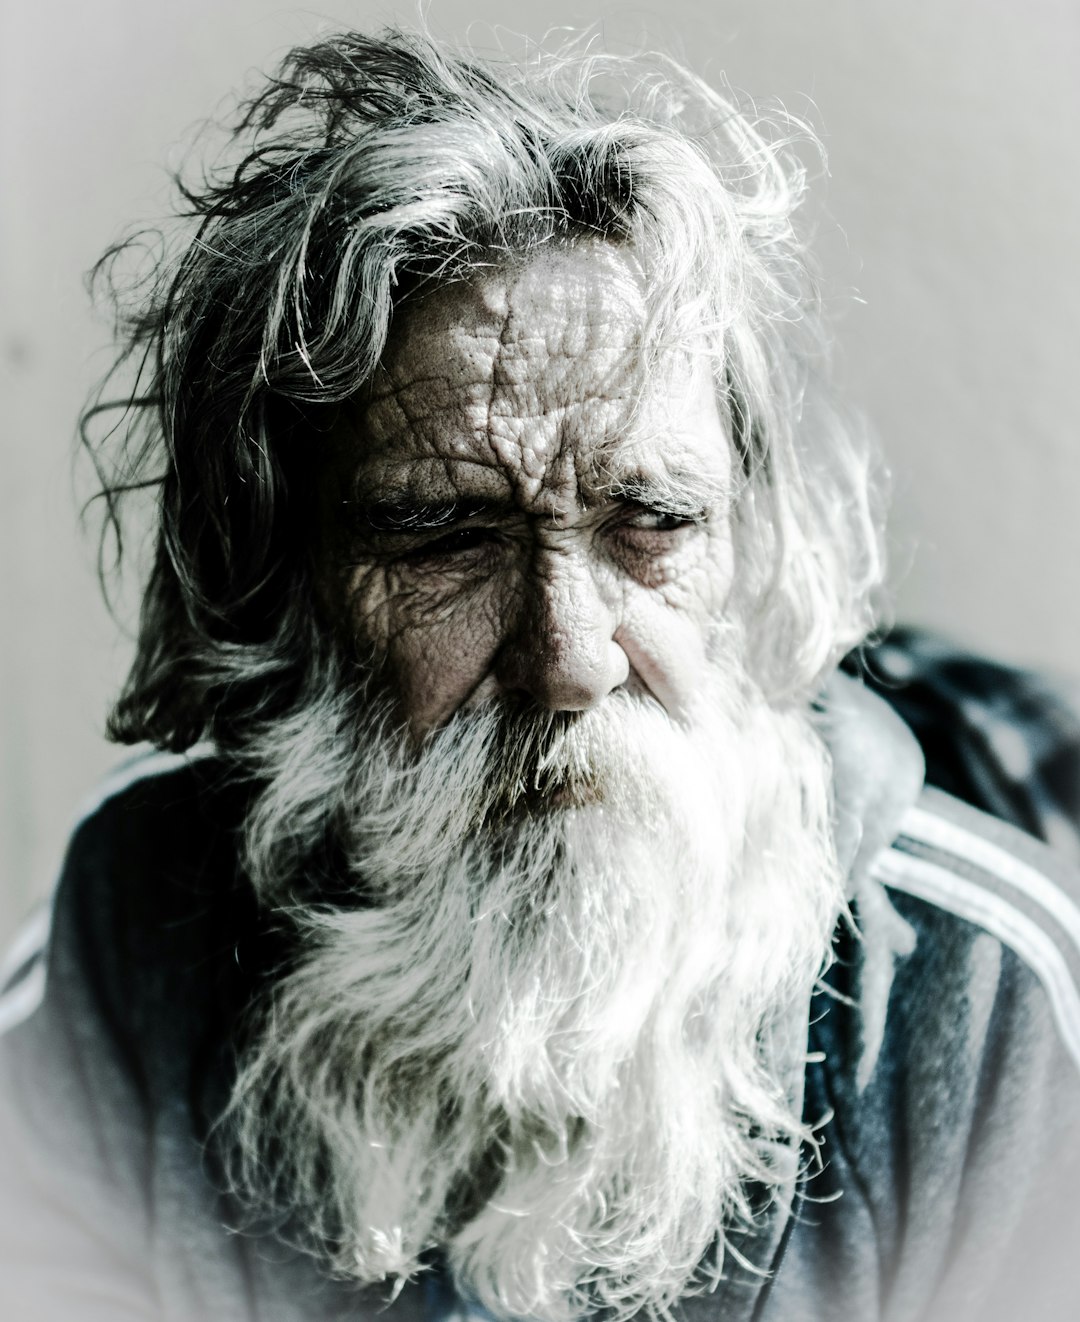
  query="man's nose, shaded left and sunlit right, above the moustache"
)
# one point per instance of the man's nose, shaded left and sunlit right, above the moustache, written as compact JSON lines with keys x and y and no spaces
{"x":561,"y":644}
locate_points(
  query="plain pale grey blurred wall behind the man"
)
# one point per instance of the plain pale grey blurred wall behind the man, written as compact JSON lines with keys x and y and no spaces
{"x":950,"y":237}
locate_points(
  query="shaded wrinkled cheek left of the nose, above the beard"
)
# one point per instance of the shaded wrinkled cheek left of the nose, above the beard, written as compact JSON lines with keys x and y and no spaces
{"x":436,"y":641}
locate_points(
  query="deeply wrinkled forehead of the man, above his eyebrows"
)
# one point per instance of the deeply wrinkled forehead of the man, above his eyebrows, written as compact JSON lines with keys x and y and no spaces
{"x":540,"y":375}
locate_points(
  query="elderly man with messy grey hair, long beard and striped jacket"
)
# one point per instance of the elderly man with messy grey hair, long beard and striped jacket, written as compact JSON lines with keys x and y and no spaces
{"x":525,"y":918}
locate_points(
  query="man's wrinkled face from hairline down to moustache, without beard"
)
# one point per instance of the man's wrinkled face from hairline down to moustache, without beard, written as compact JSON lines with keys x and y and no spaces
{"x":533,"y":511}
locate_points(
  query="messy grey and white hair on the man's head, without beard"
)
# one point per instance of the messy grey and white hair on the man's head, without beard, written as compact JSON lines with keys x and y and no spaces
{"x":366,"y":170}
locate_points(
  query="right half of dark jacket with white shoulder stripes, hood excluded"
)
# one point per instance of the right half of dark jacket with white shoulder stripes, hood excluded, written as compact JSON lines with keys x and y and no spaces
{"x":948,"y":1068}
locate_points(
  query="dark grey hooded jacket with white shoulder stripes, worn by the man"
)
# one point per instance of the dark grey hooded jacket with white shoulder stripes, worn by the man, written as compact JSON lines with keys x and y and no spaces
{"x":943,"y":1062}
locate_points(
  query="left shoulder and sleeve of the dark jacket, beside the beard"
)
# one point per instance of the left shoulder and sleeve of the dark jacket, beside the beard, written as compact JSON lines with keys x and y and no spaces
{"x":118,"y":1016}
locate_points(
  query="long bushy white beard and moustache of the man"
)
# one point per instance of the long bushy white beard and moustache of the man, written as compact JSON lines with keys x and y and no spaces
{"x":555,"y":1040}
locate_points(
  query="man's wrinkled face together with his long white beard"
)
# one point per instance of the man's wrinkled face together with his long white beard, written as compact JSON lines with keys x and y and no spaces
{"x":548,"y":1041}
